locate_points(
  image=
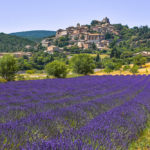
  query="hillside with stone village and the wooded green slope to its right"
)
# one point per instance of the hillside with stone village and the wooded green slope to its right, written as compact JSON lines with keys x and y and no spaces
{"x":102,"y":35}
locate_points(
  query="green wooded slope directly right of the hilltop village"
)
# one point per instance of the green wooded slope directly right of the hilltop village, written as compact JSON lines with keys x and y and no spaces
{"x":132,"y":39}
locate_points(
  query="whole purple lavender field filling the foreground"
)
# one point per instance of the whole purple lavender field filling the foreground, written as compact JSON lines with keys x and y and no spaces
{"x":85,"y":113}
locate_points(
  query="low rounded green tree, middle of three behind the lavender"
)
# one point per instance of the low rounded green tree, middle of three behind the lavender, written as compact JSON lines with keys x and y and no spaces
{"x":57,"y":69}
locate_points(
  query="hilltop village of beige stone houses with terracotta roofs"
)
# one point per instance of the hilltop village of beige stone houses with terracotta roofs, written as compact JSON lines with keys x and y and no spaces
{"x":84,"y":36}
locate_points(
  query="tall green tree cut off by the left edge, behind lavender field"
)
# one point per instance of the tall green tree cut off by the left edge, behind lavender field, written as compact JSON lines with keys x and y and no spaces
{"x":8,"y":67}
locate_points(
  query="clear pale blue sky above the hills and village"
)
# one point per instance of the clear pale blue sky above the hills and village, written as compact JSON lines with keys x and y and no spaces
{"x":23,"y":15}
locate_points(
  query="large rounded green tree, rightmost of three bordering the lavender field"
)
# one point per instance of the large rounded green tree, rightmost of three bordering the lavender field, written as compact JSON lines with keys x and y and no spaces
{"x":82,"y":64}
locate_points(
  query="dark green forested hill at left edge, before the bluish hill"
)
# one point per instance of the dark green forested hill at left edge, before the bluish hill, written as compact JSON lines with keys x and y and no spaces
{"x":12,"y":43}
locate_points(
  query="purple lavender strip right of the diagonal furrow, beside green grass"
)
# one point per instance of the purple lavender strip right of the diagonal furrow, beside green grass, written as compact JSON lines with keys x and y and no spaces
{"x":111,"y":130}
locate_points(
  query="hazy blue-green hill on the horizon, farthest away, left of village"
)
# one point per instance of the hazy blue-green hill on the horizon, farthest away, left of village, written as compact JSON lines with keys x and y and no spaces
{"x":36,"y":35}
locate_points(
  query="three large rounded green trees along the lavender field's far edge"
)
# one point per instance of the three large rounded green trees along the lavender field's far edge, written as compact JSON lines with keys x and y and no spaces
{"x":81,"y":64}
